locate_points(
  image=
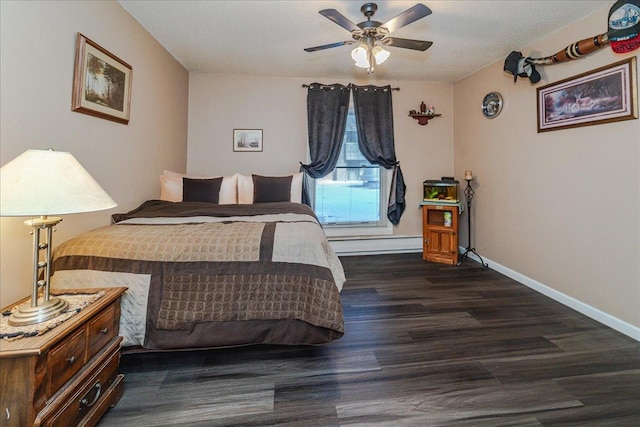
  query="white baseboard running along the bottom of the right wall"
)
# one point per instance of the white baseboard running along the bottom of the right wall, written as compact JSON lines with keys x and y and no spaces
{"x":595,"y":314}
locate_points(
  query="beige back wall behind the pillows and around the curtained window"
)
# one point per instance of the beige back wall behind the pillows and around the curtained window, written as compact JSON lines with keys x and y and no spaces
{"x":219,"y":103}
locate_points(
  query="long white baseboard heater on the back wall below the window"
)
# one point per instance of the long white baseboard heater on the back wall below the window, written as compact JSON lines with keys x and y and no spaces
{"x":375,"y":245}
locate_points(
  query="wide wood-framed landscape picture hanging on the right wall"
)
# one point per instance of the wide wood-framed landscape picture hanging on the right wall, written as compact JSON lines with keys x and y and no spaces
{"x":604,"y":95}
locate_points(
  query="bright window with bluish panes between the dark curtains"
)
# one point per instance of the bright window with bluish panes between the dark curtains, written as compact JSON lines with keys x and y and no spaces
{"x":352,"y":195}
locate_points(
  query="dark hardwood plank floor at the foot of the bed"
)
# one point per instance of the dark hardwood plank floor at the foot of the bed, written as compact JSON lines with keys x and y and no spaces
{"x":425,"y":345}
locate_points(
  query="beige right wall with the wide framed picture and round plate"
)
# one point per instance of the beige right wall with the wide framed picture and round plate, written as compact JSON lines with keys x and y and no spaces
{"x":561,"y":208}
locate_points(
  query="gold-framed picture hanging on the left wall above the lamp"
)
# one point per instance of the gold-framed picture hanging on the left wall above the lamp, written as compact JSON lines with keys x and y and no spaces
{"x":101,"y":82}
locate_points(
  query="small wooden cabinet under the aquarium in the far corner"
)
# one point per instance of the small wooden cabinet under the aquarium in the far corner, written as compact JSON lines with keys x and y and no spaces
{"x":440,"y":233}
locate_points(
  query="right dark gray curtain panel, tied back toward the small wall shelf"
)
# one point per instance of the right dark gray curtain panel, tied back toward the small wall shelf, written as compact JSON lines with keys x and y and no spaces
{"x":374,"y":119}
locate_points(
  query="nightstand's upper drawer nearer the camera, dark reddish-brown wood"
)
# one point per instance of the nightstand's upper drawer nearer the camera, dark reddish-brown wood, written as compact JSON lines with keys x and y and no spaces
{"x":66,"y":359}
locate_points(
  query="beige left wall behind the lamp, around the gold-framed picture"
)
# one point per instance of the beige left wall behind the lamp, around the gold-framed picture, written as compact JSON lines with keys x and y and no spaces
{"x":37,"y":58}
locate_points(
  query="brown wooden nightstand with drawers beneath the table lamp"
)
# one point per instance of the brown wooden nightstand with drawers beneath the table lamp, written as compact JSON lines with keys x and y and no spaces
{"x":69,"y":375}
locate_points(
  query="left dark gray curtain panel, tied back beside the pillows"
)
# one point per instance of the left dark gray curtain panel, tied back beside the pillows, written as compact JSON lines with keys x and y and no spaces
{"x":327,"y":108}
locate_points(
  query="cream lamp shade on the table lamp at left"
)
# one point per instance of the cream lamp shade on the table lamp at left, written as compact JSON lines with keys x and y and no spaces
{"x":48,"y":182}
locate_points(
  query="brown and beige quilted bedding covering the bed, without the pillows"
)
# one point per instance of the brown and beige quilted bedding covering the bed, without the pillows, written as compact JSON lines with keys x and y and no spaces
{"x":203,"y":274}
